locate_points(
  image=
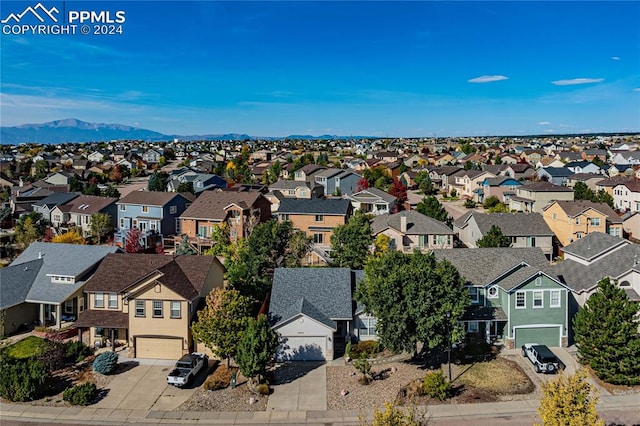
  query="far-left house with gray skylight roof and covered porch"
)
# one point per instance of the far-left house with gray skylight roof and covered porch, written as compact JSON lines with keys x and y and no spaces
{"x":44,"y":284}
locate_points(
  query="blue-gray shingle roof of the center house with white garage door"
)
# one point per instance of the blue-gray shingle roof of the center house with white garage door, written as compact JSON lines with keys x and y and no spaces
{"x":321,"y":293}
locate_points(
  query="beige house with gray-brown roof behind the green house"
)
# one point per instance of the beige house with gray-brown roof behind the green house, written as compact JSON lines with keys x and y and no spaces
{"x":523,"y":229}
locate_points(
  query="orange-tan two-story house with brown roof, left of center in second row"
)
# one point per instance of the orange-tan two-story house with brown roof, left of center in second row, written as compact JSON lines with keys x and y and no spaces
{"x":240,"y":211}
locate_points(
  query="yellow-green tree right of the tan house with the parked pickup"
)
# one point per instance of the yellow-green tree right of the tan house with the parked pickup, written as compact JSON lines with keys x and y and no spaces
{"x":222,"y":321}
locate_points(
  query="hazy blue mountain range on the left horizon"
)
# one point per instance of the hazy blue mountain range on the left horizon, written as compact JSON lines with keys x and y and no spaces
{"x":72,"y":130}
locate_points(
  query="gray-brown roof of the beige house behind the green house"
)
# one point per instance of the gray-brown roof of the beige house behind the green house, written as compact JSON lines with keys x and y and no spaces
{"x":511,"y":225}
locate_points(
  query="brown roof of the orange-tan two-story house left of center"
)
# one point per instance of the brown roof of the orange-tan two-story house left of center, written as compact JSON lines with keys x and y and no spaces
{"x":211,"y":204}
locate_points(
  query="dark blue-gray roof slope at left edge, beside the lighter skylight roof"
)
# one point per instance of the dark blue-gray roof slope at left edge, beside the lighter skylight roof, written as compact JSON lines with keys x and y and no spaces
{"x":15,"y":282}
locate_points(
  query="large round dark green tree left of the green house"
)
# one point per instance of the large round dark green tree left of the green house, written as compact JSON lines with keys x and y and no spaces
{"x":410,"y":295}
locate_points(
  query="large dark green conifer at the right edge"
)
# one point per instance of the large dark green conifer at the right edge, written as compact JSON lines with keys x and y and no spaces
{"x":606,"y":334}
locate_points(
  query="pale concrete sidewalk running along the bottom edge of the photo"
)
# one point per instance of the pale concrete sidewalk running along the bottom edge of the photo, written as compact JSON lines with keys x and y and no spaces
{"x":629,"y":404}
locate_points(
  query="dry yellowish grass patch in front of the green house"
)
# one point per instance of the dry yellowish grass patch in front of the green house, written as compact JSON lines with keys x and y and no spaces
{"x":499,"y":376}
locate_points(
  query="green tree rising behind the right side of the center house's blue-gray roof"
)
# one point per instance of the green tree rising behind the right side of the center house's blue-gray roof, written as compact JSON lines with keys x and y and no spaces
{"x":350,"y":243}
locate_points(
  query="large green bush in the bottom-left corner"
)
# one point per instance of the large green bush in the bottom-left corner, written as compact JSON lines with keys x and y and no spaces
{"x":22,"y":379}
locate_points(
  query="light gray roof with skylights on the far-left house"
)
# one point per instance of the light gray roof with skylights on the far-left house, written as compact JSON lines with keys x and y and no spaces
{"x":60,"y":259}
